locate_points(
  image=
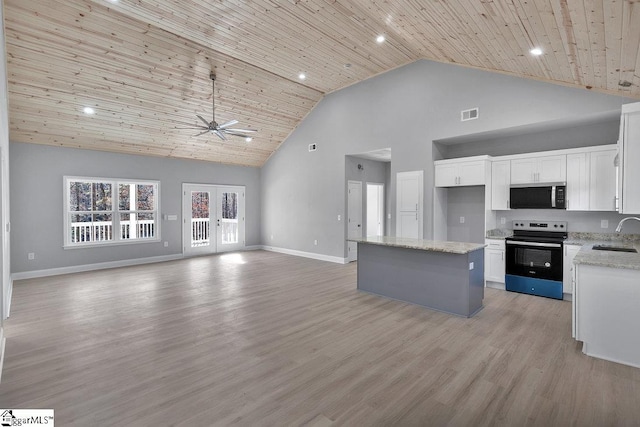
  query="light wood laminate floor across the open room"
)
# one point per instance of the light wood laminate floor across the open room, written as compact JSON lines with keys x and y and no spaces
{"x":260,"y":338}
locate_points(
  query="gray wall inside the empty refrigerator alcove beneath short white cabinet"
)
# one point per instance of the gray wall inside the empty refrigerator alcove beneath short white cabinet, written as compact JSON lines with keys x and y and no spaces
{"x":467,"y":202}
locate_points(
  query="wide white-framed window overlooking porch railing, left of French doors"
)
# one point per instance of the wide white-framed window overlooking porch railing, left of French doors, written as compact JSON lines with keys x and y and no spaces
{"x":110,"y":211}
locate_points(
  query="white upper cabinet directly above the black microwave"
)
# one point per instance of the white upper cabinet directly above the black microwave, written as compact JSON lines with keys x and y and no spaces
{"x":534,"y":170}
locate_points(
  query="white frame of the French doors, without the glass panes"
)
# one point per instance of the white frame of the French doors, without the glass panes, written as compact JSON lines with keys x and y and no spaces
{"x":215,"y":246}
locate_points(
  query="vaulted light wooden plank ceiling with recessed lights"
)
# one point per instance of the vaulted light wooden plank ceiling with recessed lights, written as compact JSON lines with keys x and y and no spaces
{"x":144,"y":65}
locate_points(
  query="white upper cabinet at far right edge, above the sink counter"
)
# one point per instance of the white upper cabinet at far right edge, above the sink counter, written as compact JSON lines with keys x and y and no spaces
{"x":629,"y":148}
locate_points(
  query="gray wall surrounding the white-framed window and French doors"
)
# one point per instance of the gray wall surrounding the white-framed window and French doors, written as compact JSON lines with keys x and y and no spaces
{"x":37,"y":193}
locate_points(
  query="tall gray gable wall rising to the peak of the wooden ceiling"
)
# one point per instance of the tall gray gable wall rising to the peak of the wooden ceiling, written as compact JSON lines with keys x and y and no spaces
{"x":406,"y":110}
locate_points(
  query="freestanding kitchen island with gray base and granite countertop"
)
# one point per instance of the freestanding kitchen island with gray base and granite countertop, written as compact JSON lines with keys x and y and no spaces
{"x":444,"y":276}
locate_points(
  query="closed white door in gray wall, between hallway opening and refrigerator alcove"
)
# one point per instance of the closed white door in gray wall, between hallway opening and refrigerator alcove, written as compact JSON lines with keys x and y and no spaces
{"x":409,"y":204}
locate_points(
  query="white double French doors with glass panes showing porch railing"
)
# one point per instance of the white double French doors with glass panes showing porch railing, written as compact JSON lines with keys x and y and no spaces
{"x":213,"y":218}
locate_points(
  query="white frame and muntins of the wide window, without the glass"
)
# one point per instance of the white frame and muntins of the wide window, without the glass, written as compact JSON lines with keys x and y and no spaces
{"x":115,"y":212}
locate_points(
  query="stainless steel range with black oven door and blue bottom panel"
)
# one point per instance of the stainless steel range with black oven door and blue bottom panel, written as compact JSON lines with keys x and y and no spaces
{"x":534,"y":258}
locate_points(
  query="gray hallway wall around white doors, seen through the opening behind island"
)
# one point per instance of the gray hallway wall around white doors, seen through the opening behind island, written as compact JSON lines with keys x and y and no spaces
{"x":373,"y":172}
